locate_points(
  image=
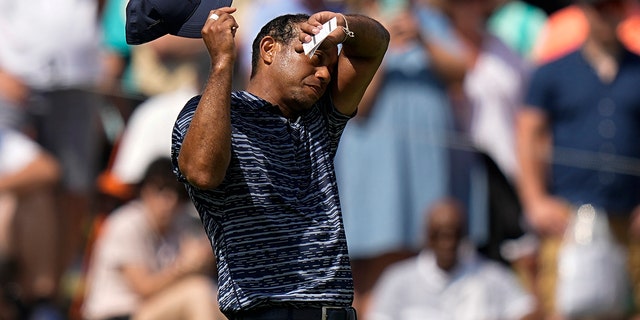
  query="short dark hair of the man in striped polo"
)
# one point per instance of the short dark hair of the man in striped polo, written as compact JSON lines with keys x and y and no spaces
{"x":283,"y":29}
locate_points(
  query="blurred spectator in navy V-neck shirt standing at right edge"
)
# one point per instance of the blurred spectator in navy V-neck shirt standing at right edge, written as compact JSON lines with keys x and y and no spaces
{"x":577,"y":143}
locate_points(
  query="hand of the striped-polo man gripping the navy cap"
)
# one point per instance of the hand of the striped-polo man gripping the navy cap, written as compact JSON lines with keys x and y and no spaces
{"x":218,"y":34}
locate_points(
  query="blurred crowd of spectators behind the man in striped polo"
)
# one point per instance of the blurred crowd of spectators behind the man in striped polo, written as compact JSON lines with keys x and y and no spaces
{"x":490,"y":128}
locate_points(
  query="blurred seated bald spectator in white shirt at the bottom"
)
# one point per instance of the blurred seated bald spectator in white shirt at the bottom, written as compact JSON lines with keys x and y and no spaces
{"x":449,"y":280}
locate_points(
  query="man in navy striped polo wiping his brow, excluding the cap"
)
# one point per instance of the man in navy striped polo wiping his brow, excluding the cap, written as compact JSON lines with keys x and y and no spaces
{"x":258,"y":164}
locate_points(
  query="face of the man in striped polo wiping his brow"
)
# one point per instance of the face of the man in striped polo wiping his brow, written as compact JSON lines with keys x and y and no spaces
{"x":302,"y":81}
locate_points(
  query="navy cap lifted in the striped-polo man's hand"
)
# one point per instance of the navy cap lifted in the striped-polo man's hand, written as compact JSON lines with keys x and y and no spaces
{"x":150,"y":19}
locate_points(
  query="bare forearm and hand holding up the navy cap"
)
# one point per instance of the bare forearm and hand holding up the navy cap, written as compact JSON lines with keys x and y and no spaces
{"x":206,"y":149}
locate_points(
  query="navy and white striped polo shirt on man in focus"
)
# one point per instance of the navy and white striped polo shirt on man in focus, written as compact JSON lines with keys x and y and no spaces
{"x":275,"y":222}
